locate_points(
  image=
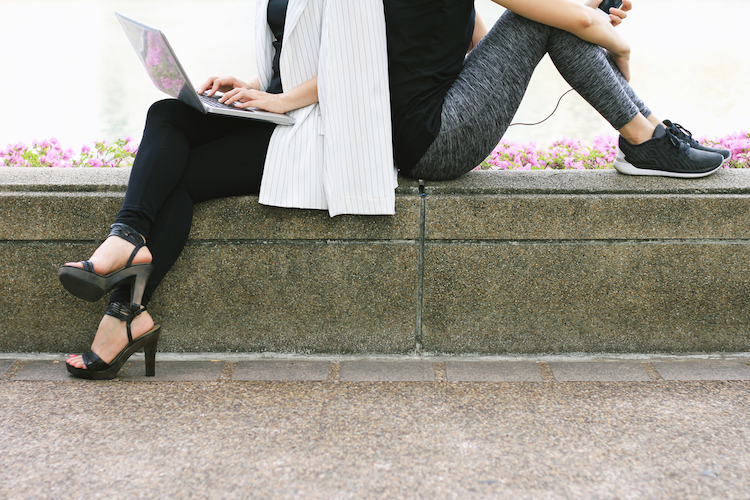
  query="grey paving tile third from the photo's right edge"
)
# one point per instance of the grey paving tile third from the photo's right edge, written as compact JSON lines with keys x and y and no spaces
{"x":493,"y":371}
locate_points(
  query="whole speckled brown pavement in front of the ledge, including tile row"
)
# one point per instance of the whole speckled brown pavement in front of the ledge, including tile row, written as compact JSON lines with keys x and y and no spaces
{"x":217,"y":426}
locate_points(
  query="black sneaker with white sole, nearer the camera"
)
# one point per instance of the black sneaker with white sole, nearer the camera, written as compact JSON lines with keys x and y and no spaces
{"x":666,"y":155}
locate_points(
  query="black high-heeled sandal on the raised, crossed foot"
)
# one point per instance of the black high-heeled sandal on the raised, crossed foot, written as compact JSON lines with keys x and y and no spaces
{"x":87,"y":284}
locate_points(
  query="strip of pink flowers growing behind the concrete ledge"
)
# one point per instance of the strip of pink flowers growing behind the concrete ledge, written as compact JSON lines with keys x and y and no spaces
{"x":508,"y":155}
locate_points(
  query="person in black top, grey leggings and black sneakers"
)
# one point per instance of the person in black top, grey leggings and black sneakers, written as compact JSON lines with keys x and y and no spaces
{"x":450,"y":110}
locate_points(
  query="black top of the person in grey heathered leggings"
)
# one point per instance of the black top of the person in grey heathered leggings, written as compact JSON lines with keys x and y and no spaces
{"x":427,"y":43}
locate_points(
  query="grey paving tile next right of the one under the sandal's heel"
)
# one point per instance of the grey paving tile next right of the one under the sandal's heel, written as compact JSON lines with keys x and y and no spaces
{"x":302,"y":370}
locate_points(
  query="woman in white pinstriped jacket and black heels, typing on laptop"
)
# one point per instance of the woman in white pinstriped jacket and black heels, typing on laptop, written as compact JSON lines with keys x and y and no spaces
{"x":306,"y":52}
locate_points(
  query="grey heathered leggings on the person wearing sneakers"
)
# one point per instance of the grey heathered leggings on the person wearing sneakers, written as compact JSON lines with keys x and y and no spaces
{"x":484,"y":98}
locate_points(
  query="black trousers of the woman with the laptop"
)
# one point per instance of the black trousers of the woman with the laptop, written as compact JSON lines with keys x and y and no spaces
{"x":186,"y":157}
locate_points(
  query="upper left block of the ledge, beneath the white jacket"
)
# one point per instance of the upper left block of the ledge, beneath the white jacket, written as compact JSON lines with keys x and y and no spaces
{"x":80,"y":204}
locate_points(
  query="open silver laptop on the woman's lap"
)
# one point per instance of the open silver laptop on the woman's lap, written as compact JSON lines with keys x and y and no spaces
{"x":167,"y":73}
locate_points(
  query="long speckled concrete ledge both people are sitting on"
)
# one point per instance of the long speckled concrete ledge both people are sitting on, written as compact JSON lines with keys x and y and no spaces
{"x":495,"y":262}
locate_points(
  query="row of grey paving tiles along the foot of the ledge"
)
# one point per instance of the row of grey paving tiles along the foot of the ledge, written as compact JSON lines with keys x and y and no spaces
{"x":204,"y":368}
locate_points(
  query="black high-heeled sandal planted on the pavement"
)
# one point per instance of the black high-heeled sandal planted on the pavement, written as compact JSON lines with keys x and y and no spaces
{"x":96,"y":369}
